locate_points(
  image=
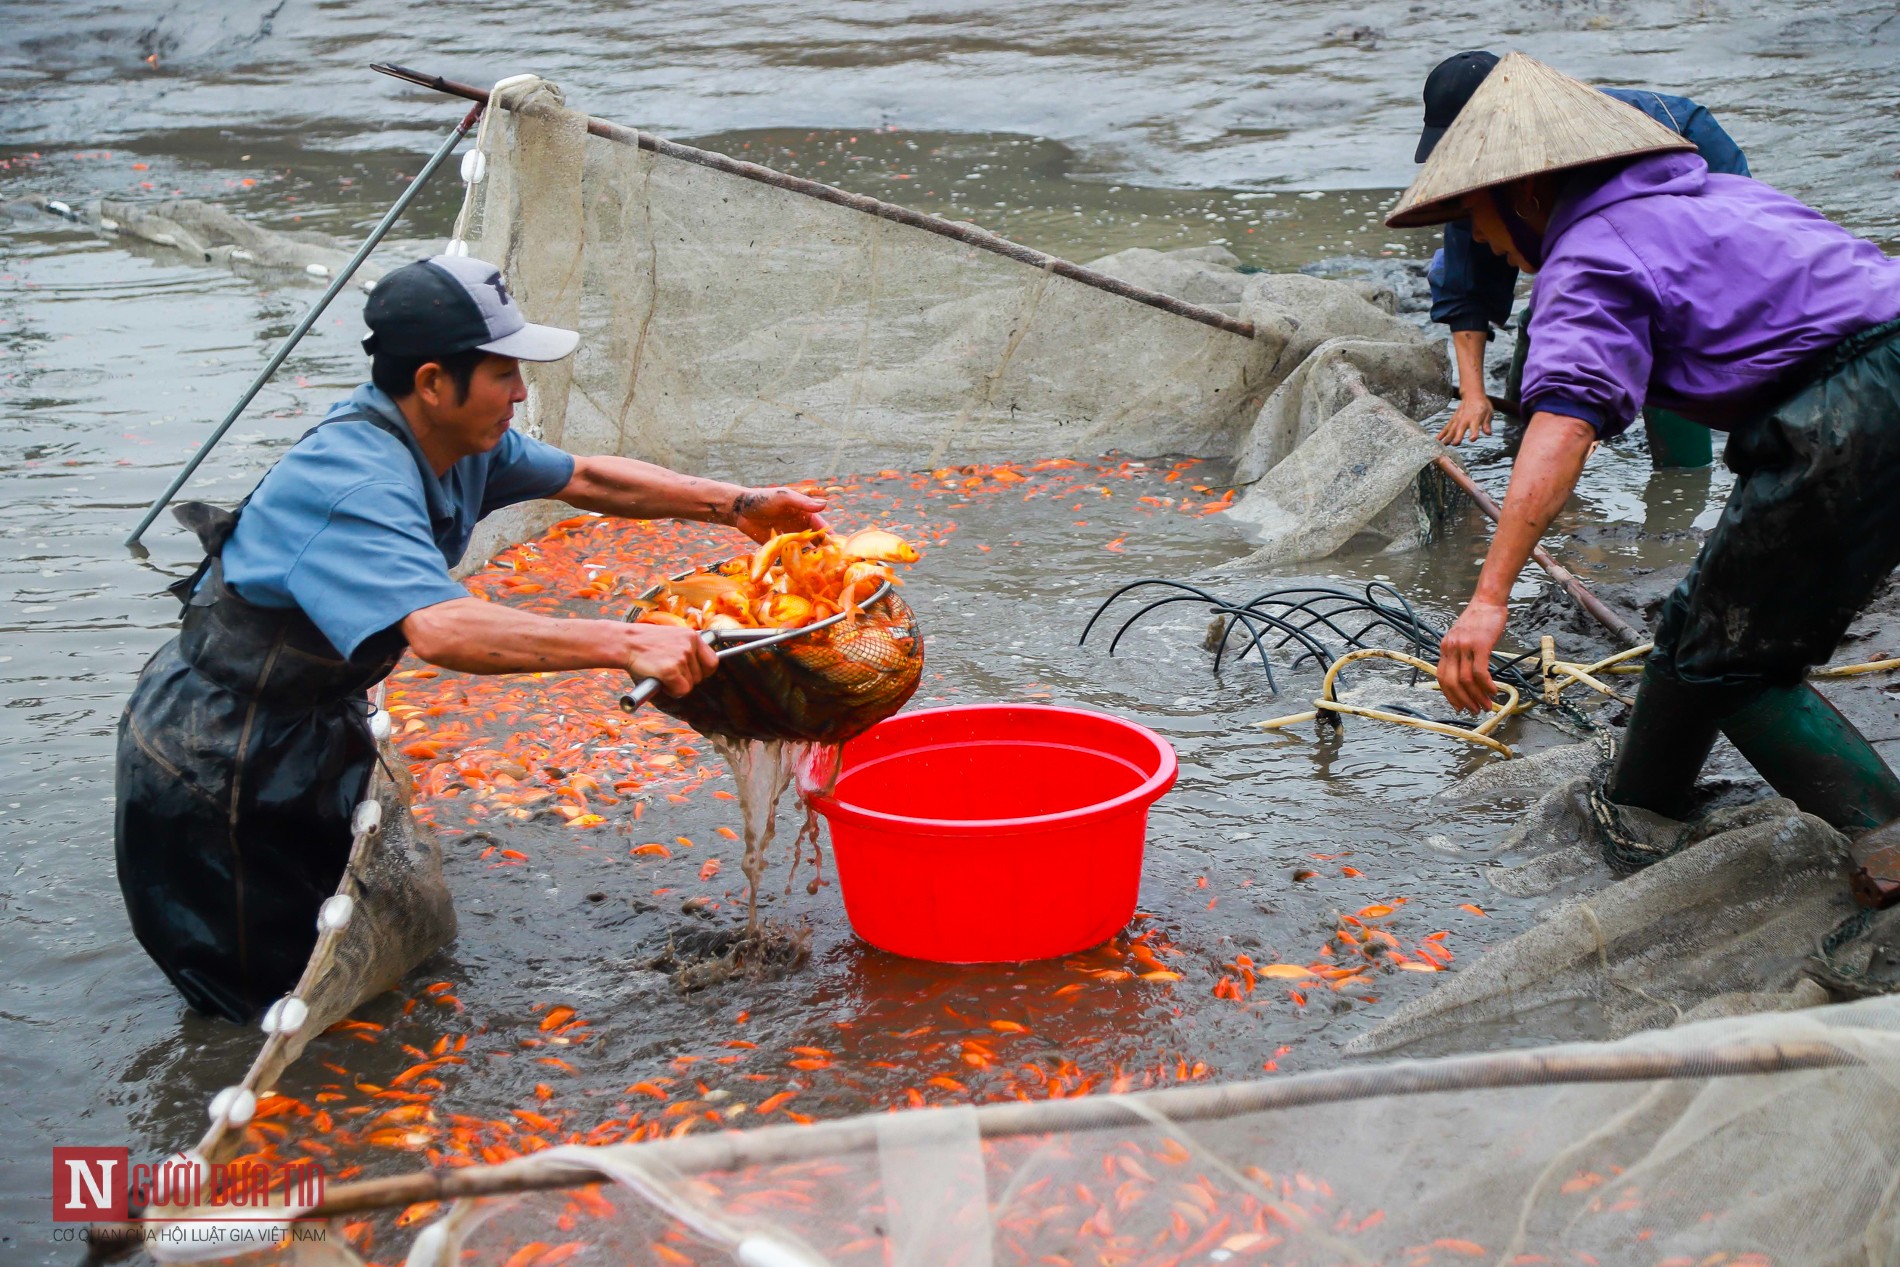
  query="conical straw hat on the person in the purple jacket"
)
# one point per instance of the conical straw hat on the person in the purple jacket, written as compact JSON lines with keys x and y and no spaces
{"x":1525,"y":121}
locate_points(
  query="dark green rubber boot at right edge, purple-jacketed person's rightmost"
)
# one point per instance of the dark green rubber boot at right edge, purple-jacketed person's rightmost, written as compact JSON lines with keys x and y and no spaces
{"x":1815,"y":757}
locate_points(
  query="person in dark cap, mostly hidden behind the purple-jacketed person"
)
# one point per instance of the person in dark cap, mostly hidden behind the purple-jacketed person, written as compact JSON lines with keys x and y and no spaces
{"x":1473,"y":288}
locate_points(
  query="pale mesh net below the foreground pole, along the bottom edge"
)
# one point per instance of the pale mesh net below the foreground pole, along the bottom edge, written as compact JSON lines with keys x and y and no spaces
{"x":1671,"y":1150}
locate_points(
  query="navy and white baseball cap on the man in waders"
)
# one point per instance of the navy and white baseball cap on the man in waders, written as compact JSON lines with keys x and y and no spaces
{"x":453,"y":303}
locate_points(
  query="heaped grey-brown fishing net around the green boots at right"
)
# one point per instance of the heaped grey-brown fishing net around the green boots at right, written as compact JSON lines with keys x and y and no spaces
{"x":1654,"y":922}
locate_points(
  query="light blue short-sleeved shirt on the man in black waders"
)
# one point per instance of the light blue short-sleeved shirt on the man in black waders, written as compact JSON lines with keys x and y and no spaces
{"x":358,"y":531}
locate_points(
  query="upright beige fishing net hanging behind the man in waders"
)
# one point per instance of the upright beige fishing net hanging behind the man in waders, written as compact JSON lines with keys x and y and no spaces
{"x":748,"y":324}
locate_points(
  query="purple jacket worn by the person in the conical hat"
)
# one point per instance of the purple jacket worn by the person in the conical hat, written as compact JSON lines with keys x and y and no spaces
{"x":1701,"y":293}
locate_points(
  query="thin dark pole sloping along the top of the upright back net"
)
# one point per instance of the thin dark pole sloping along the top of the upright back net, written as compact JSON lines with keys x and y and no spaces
{"x":957,"y":231}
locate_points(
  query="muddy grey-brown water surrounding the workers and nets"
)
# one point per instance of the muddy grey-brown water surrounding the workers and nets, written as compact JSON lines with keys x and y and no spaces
{"x":1078,"y":130}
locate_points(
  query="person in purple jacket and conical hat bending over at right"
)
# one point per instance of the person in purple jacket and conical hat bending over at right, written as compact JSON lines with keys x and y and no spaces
{"x":1747,"y":312}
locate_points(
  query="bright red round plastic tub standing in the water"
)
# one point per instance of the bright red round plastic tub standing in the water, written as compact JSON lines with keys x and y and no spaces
{"x":995,"y":833}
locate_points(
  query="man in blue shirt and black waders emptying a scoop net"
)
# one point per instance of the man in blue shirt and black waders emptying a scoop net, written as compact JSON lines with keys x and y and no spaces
{"x":246,"y":746}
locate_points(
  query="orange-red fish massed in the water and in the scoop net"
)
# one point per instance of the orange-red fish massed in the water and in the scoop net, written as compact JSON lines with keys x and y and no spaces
{"x":497,"y":751}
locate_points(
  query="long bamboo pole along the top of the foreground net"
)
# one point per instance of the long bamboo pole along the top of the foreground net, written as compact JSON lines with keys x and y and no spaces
{"x":736,"y":1150}
